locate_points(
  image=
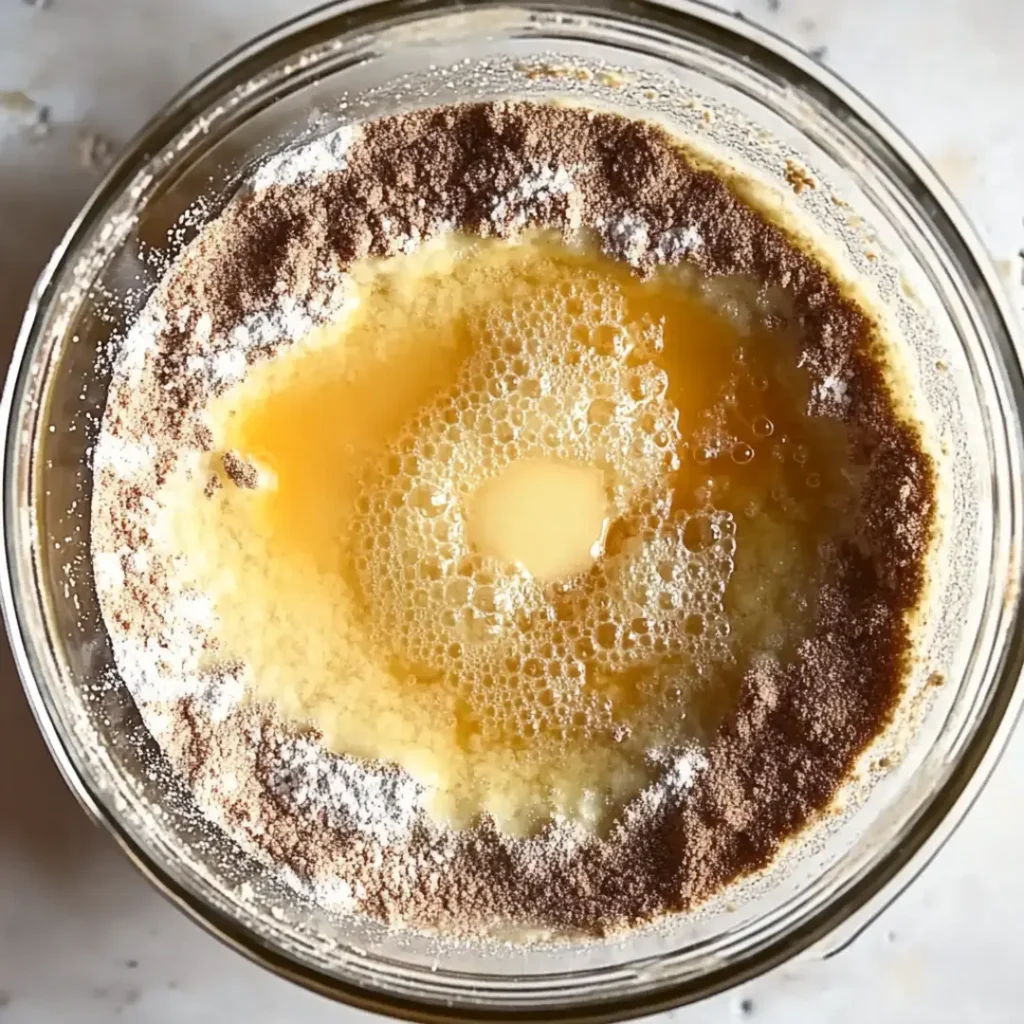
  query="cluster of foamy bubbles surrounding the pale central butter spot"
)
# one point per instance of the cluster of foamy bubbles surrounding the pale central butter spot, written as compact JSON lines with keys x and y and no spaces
{"x":559,"y":373}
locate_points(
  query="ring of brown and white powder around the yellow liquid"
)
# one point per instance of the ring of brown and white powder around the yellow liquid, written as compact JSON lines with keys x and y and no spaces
{"x":273,"y":267}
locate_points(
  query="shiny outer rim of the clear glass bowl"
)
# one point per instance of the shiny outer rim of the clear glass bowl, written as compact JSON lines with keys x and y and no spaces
{"x":771,"y":56}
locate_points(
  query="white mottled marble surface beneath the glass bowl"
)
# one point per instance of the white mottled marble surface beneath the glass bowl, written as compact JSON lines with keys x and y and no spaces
{"x":82,"y":937}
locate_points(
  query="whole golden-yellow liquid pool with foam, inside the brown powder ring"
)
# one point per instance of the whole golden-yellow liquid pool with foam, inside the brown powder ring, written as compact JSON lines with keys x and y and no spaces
{"x":527,"y":521}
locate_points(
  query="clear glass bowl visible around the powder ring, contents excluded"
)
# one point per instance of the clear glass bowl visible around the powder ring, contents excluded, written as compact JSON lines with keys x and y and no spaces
{"x":888,"y":224}
